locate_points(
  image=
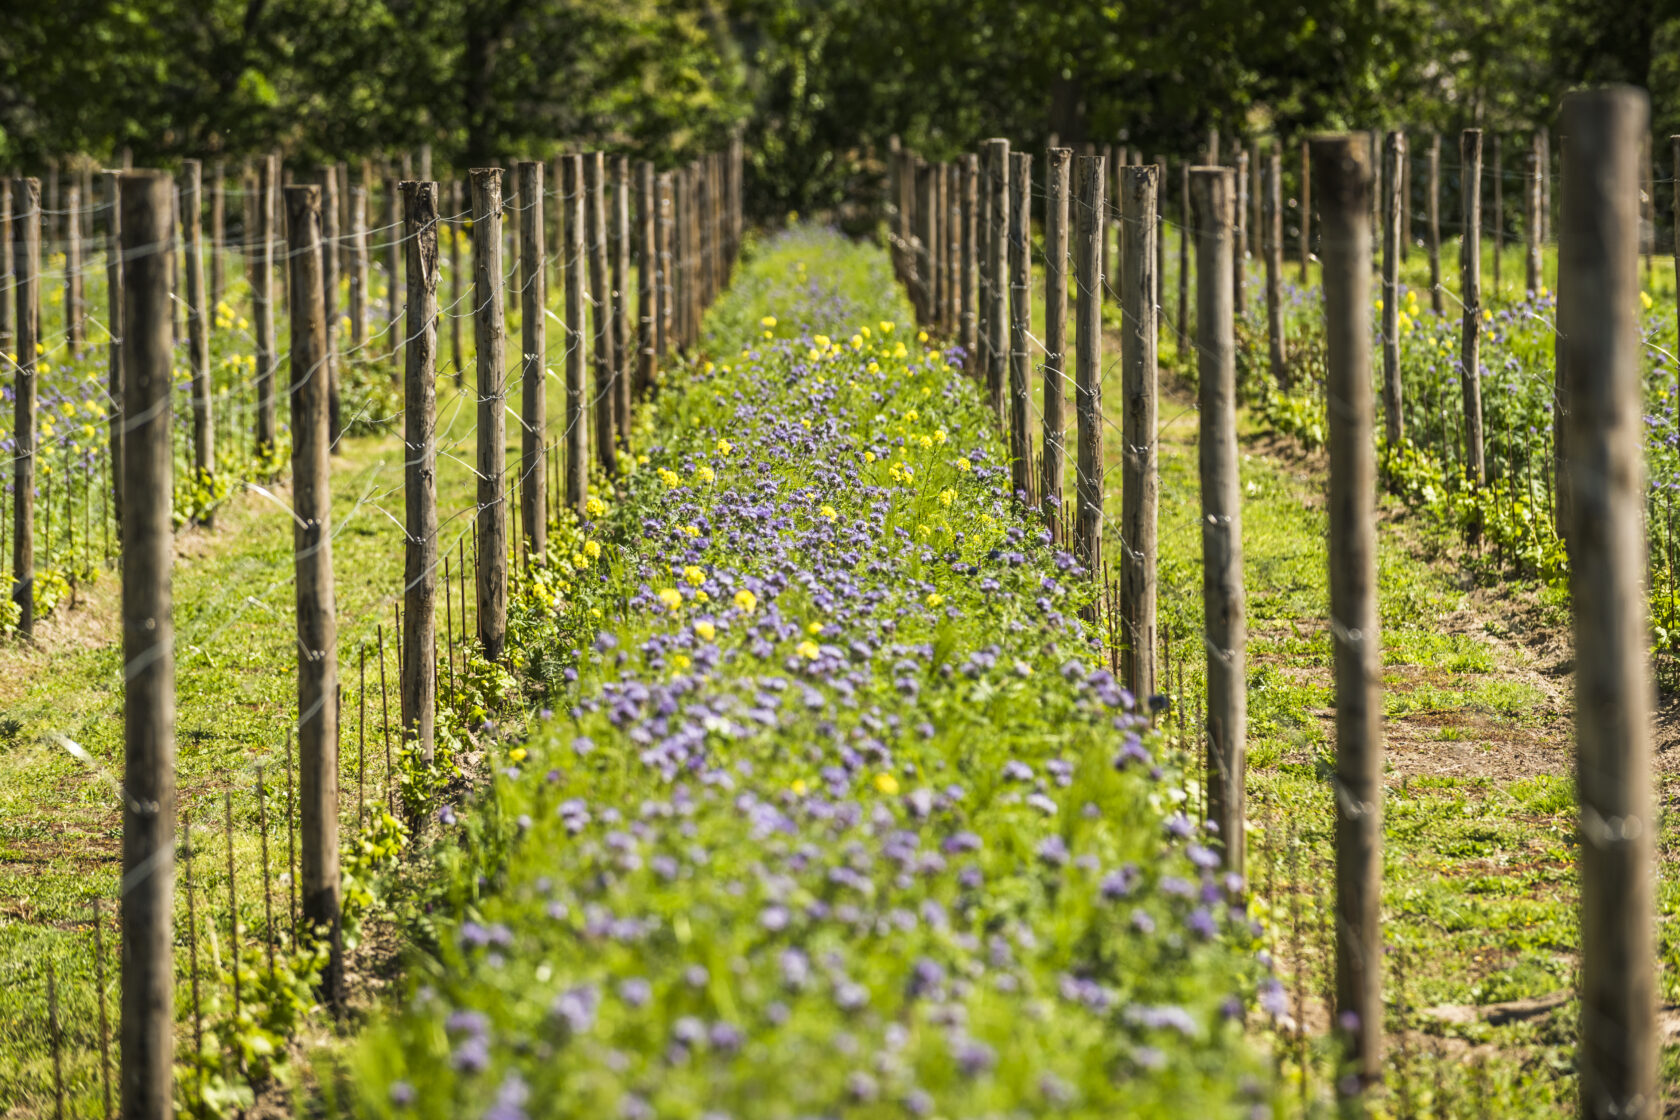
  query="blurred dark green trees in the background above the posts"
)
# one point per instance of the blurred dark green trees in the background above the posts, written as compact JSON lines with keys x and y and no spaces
{"x":816,"y":85}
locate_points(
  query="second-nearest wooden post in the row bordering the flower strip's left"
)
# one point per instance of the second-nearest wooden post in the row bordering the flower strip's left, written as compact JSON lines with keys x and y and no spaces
{"x":317,"y":619}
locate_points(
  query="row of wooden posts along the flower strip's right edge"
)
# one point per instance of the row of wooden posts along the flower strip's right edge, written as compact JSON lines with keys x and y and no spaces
{"x":980,"y":222}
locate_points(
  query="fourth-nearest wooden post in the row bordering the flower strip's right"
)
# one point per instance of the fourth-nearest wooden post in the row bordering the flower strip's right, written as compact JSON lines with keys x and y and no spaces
{"x":1140,"y":469}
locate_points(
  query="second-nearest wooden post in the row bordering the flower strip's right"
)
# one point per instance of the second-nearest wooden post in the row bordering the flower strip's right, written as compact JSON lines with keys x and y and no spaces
{"x":1345,"y":179}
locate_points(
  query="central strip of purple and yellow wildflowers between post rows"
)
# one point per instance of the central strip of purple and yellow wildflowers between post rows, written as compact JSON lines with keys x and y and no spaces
{"x":837,"y":809}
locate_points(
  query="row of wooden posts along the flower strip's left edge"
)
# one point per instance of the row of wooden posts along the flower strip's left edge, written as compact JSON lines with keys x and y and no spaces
{"x":690,"y":263}
